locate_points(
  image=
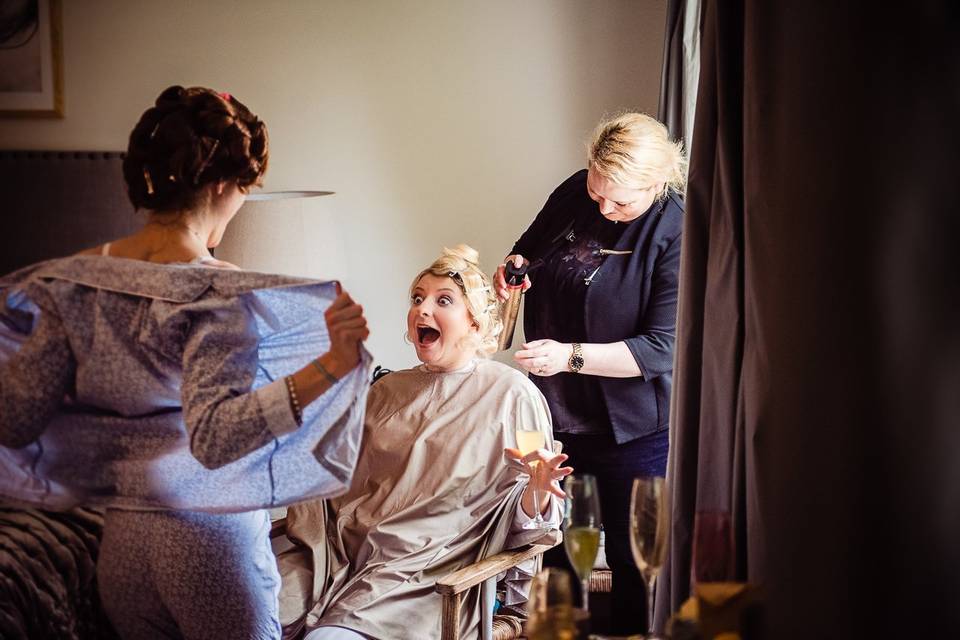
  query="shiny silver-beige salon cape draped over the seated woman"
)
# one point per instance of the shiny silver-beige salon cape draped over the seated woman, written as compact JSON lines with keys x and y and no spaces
{"x":433,"y":493}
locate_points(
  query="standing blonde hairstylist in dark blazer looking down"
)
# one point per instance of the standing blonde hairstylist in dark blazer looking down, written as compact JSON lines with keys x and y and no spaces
{"x":600,"y":319}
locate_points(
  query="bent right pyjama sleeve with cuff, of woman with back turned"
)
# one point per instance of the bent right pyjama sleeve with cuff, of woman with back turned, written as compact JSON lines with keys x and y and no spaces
{"x":225,"y":417}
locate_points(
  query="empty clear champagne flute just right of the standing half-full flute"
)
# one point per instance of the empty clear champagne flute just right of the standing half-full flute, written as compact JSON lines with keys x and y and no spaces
{"x":649,"y":528}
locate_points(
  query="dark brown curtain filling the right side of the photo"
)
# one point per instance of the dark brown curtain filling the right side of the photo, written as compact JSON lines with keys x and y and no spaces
{"x":817,"y":383}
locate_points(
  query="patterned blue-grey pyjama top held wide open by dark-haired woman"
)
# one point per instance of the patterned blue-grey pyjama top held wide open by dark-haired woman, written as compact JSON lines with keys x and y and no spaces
{"x":100,"y":355}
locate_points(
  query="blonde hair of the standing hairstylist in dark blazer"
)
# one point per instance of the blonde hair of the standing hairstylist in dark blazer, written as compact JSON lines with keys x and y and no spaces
{"x":635,"y":151}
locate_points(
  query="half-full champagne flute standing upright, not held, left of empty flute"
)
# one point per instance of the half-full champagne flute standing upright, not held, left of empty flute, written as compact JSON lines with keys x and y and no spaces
{"x":581,"y":527}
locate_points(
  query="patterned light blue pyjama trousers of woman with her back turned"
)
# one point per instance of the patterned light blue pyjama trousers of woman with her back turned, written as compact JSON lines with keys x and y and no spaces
{"x":195,"y":576}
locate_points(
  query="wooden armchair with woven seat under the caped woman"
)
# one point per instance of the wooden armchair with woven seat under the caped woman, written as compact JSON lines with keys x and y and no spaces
{"x":452,"y":586}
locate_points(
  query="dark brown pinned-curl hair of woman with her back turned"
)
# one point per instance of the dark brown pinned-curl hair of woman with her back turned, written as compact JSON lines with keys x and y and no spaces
{"x":187,"y":140}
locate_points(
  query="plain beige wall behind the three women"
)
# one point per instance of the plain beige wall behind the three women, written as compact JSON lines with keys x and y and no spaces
{"x":435,"y":121}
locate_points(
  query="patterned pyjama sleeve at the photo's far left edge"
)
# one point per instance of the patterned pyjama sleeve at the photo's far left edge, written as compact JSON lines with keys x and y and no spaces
{"x":36,"y":378}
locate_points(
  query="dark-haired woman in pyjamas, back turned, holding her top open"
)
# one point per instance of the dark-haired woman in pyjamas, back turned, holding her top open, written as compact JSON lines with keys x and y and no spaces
{"x":150,"y":379}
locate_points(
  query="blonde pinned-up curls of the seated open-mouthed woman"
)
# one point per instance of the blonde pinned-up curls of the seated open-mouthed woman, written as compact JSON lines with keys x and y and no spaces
{"x":460,"y":264}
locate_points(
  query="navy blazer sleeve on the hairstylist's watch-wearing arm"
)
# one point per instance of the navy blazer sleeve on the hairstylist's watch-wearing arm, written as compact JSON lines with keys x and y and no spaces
{"x":653,"y":347}
